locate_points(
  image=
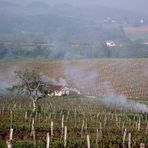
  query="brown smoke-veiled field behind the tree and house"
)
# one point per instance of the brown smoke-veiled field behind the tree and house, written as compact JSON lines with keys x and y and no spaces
{"x":125,"y":76}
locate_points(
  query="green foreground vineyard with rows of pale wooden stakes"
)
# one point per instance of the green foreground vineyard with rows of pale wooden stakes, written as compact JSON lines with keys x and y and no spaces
{"x":74,"y":121}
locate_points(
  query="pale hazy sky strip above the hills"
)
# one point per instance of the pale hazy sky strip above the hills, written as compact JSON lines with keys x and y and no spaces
{"x":125,"y":4}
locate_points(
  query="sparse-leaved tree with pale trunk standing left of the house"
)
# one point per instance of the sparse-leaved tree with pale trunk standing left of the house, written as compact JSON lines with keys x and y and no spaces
{"x":33,"y":84}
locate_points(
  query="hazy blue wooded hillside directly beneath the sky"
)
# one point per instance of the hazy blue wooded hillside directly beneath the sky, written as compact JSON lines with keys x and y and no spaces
{"x":62,"y":23}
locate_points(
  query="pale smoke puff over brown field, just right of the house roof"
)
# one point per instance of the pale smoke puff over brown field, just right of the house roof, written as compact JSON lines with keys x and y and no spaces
{"x":80,"y":76}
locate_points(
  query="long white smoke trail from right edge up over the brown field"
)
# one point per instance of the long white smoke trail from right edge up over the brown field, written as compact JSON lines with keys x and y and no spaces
{"x":86,"y":81}
